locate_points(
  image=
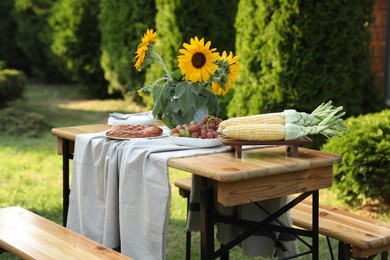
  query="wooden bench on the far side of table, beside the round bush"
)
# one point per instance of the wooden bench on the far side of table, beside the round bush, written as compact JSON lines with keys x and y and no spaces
{"x":359,"y":237}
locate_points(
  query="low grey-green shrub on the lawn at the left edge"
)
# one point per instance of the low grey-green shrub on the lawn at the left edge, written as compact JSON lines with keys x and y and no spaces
{"x":17,"y":121}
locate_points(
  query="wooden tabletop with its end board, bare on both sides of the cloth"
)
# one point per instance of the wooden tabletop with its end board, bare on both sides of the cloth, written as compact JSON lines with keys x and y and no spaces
{"x":261,"y":173}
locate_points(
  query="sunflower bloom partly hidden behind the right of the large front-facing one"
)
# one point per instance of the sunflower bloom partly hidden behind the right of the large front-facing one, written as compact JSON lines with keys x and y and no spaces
{"x":230,"y":72}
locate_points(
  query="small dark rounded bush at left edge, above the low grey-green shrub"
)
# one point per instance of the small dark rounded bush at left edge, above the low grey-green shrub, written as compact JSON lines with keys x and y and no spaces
{"x":12,"y":84}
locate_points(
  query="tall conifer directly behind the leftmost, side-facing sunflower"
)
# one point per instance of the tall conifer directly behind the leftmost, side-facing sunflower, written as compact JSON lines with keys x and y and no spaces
{"x":122,"y":24}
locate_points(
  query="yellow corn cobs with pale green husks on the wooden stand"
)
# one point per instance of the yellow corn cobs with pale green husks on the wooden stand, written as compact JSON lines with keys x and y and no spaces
{"x":286,"y":125}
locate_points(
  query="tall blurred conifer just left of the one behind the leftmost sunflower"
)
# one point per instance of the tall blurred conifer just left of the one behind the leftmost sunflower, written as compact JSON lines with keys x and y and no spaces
{"x":75,"y":43}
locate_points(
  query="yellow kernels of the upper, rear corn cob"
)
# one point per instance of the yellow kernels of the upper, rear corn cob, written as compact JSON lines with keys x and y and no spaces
{"x":270,"y":118}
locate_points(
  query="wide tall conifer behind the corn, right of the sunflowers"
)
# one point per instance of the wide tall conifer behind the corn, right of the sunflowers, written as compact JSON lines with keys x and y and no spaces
{"x":297,"y":54}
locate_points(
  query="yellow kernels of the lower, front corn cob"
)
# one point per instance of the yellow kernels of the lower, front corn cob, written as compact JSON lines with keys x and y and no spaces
{"x":256,"y":132}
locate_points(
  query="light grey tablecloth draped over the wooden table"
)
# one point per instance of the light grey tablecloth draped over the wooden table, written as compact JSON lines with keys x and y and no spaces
{"x":120,"y":192}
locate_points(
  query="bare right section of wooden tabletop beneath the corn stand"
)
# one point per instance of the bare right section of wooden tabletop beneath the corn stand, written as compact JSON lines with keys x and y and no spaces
{"x":224,"y":167}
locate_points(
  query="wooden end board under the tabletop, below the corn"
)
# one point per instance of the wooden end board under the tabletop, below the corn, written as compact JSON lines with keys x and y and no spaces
{"x":236,"y":193}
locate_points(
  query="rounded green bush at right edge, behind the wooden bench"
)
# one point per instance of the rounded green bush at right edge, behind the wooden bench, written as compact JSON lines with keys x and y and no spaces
{"x":365,"y":169}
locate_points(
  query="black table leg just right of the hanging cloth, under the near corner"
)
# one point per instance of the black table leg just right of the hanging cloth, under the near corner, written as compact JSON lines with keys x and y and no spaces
{"x":206,"y":219}
